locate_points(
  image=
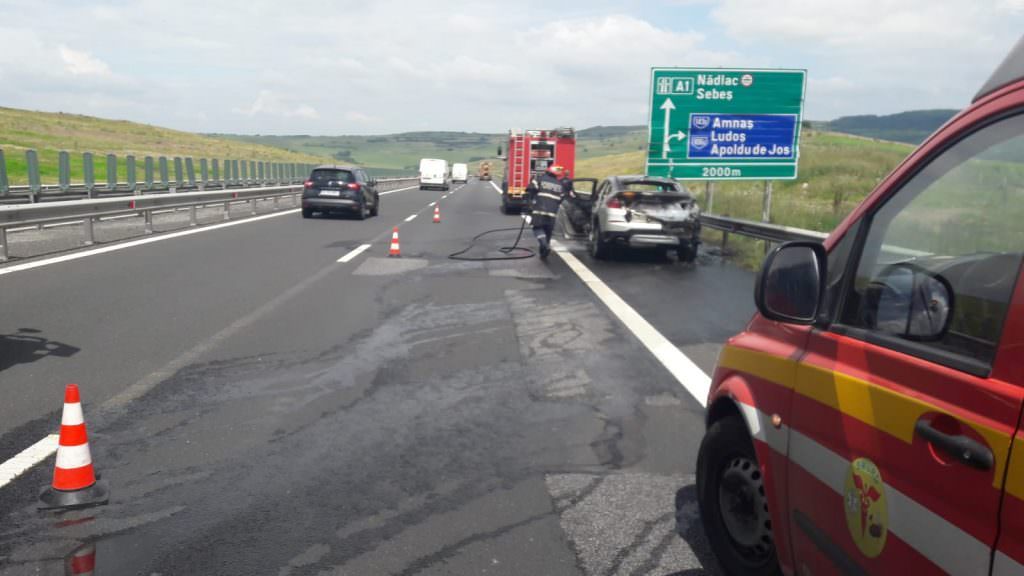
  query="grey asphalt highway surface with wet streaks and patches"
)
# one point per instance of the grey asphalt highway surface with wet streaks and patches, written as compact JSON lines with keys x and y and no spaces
{"x":272,"y":398}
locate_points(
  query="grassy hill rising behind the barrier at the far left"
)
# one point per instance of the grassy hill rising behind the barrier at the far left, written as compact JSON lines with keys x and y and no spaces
{"x":51,"y":133}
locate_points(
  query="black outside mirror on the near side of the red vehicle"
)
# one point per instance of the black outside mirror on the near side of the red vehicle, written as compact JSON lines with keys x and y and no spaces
{"x":791,"y":284}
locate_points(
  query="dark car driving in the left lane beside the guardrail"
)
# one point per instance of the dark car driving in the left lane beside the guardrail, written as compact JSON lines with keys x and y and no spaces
{"x":340,"y":189}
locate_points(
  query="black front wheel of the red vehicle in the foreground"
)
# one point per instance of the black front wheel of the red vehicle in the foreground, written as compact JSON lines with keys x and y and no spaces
{"x":733,"y":502}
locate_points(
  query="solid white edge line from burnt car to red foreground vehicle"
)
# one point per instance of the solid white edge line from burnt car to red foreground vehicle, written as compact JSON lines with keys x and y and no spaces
{"x":682,"y":368}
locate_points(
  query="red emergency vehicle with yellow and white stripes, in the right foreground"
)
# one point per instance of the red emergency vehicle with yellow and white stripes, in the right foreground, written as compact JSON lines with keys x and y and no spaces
{"x":869,"y":419}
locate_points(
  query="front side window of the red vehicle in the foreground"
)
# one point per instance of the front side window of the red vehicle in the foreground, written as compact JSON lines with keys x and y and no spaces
{"x":956,"y":227}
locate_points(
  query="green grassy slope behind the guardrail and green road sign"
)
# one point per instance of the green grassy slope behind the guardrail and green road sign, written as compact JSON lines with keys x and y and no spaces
{"x":836,"y":172}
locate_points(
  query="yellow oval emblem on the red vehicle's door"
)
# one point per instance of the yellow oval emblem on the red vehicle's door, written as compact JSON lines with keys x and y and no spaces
{"x":867,"y":510}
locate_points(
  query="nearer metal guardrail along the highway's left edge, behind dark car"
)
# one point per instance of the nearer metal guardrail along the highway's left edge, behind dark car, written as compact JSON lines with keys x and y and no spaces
{"x":90,"y":211}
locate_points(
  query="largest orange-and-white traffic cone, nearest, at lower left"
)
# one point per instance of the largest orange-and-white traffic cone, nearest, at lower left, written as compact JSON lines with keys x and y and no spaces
{"x":75,"y":484}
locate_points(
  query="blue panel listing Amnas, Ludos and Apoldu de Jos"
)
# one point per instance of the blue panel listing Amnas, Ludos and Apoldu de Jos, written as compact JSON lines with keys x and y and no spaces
{"x":743,"y":137}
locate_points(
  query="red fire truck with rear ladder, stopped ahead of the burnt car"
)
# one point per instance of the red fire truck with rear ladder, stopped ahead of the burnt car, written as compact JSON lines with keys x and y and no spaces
{"x":530,"y":153}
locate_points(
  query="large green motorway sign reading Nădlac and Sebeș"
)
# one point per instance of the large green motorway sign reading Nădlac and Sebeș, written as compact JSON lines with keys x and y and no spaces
{"x":724,"y":125}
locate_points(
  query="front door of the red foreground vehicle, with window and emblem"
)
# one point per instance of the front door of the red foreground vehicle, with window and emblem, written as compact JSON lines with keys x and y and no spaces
{"x":906,"y":404}
